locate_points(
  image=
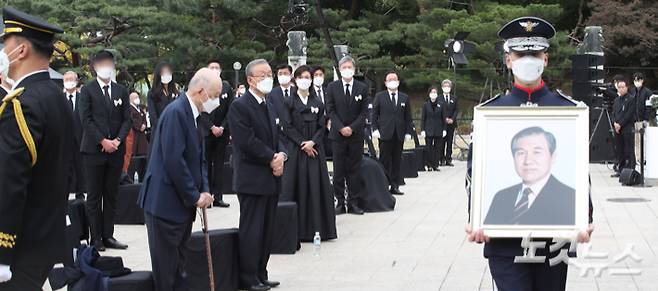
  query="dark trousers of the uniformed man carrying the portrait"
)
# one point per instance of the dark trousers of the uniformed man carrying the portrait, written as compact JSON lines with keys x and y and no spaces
{"x":510,"y":276}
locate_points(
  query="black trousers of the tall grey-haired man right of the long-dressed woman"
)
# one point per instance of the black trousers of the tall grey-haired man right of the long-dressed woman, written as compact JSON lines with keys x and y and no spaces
{"x":347,"y":156}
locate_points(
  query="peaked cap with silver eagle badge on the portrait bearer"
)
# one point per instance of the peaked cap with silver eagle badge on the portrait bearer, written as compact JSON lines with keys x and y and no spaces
{"x":527,"y":34}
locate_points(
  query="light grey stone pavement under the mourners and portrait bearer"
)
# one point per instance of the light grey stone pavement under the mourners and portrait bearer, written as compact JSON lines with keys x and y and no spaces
{"x":422,"y":246}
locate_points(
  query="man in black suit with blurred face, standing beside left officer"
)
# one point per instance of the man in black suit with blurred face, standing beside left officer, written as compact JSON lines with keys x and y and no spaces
{"x":105,"y":115}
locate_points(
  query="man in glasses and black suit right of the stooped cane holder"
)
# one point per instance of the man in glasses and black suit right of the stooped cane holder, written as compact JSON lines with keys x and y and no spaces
{"x":258,"y":159}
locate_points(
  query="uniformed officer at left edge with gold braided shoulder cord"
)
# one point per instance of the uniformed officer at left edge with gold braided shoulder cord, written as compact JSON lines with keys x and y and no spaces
{"x":35,"y":146}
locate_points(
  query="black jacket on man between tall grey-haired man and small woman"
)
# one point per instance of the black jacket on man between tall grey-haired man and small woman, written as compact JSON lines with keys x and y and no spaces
{"x":391,"y":118}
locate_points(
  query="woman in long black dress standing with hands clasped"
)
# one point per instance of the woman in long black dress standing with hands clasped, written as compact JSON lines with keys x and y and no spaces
{"x":307,"y":177}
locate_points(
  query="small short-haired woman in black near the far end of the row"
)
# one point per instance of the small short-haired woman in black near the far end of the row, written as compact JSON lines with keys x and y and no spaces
{"x":431,"y":124}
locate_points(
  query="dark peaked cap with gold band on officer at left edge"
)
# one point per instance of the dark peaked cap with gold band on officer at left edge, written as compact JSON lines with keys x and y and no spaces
{"x":23,"y":24}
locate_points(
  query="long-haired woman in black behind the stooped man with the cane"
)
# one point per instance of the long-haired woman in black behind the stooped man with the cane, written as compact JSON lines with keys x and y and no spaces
{"x":162,"y":92}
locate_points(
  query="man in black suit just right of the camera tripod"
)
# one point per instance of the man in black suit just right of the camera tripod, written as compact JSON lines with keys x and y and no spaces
{"x":623,"y":116}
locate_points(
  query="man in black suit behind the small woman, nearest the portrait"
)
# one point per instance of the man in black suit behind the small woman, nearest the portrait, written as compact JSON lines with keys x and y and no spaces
{"x":449,"y":103}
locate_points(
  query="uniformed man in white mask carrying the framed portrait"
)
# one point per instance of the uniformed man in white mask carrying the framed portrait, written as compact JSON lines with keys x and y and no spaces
{"x":526,"y":42}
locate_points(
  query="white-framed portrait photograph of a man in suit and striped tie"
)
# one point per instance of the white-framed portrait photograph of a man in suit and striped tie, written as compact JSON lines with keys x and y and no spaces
{"x":530,"y":174}
